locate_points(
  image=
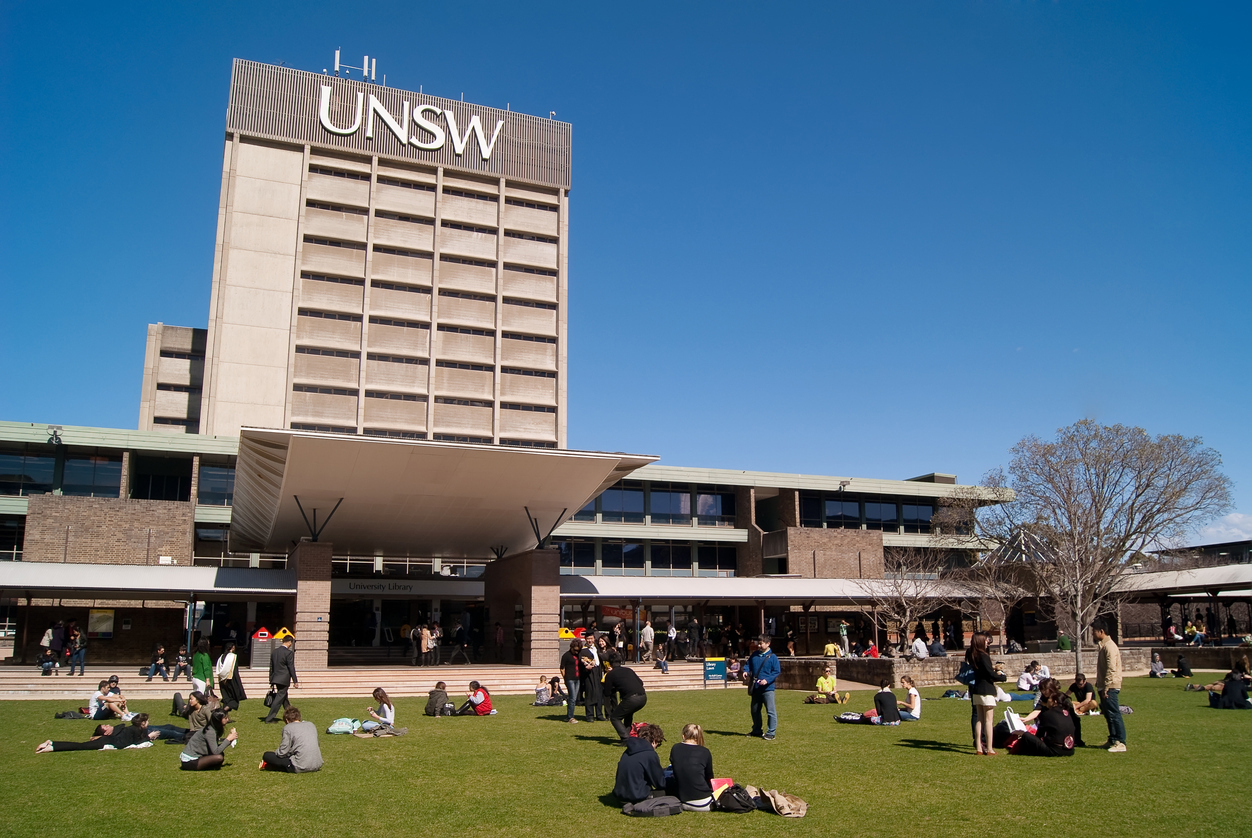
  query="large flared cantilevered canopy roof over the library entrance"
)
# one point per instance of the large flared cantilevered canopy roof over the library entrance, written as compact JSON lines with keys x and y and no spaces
{"x":409,"y":498}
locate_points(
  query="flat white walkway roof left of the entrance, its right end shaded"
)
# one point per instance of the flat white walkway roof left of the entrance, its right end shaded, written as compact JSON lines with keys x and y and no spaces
{"x":43,"y":579}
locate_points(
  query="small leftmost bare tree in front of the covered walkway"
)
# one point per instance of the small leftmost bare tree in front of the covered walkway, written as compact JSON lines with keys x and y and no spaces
{"x":916,"y":582}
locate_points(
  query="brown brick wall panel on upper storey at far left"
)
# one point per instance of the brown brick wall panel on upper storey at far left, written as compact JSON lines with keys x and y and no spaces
{"x":108,"y":530}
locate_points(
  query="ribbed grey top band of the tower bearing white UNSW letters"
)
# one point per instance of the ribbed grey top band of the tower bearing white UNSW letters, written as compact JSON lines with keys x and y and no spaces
{"x":320,"y":111}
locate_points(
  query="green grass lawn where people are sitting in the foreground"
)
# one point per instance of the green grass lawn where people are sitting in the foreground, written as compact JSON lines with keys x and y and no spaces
{"x":526,"y":773}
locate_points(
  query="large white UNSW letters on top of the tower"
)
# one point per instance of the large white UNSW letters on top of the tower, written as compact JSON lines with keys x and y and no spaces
{"x":431,"y":135}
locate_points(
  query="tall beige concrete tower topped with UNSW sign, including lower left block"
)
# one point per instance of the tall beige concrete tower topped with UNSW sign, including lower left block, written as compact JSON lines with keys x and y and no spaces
{"x":387,"y":264}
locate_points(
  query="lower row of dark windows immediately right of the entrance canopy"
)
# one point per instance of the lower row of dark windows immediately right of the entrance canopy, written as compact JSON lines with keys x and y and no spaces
{"x":622,"y":558}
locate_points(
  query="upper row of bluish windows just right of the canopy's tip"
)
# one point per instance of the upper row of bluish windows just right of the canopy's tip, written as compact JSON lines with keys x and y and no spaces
{"x":638,"y":503}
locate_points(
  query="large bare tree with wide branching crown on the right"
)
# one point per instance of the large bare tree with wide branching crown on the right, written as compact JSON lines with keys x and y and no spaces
{"x":1095,"y":497}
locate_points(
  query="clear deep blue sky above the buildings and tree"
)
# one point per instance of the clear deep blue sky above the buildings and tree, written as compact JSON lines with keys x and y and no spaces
{"x":847,"y":239}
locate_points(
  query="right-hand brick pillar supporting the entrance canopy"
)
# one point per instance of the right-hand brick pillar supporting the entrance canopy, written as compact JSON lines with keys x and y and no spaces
{"x":534,"y":582}
